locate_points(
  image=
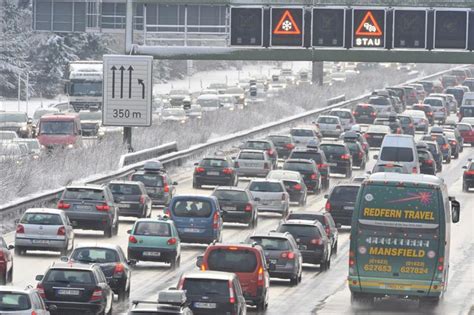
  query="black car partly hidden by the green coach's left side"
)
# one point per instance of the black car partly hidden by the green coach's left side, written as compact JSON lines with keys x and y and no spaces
{"x":341,"y":201}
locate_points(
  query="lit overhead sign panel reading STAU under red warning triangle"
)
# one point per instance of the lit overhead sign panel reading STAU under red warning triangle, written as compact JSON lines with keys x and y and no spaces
{"x":369,"y":28}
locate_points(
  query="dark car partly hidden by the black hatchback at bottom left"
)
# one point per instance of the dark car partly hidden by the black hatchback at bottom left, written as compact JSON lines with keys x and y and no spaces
{"x":112,"y":260}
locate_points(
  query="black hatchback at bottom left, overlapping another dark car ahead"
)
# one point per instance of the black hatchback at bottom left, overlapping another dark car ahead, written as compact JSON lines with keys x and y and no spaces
{"x":73,"y":287}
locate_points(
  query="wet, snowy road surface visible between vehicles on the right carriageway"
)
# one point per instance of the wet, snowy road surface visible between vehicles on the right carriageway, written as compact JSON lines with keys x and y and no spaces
{"x":319,"y":292}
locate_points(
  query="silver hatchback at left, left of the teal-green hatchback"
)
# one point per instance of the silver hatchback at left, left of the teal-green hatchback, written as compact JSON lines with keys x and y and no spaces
{"x":44,"y":229}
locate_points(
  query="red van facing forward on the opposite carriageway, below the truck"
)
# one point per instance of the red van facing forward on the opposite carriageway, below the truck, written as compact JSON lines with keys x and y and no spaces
{"x":60,"y":131}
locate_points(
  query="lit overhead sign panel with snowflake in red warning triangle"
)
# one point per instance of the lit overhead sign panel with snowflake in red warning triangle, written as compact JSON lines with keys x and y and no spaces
{"x":286,"y":27}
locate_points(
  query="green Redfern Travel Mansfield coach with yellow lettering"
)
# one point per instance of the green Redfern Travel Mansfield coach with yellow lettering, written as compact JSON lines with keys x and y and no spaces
{"x":400,"y":238}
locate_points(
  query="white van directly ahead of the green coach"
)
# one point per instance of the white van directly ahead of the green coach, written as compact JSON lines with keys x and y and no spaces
{"x":400,"y":149}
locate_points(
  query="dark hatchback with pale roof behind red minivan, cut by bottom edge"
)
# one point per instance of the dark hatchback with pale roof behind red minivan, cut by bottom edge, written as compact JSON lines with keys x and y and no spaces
{"x":213,"y":292}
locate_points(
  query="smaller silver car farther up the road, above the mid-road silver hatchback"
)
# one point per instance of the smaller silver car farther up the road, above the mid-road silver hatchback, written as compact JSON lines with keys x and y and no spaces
{"x":253,"y":163}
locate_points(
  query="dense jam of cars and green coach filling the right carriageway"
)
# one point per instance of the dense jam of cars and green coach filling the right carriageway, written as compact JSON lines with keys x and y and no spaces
{"x":357,"y":204}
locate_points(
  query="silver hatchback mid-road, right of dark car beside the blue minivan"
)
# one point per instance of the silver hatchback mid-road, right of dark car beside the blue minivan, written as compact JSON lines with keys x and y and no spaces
{"x":270,"y":195}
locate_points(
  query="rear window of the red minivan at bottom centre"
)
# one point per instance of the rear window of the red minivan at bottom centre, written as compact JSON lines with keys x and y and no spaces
{"x":232,"y":260}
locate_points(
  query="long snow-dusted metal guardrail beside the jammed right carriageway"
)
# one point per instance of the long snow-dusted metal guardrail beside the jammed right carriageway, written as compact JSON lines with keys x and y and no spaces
{"x":13,"y":210}
